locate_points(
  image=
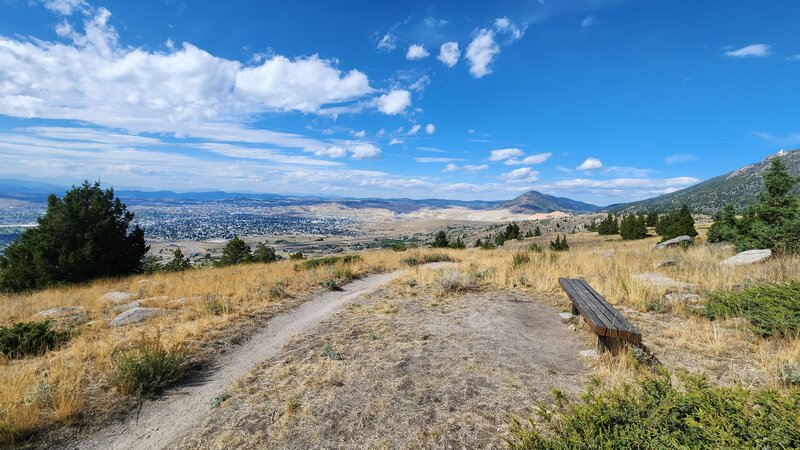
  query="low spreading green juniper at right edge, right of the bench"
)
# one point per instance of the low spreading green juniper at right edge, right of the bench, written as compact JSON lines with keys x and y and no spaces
{"x":771,"y":309}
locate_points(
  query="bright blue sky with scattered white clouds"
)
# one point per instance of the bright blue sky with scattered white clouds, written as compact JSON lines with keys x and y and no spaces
{"x":597,"y":100}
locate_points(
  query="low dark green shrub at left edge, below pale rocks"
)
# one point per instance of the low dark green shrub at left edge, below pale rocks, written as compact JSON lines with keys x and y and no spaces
{"x":29,"y":339}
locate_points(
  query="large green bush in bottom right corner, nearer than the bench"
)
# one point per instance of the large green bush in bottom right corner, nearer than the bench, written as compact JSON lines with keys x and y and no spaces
{"x":655,"y":414}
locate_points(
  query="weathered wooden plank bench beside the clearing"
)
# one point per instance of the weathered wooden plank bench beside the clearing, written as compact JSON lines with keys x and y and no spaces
{"x":612,"y":329}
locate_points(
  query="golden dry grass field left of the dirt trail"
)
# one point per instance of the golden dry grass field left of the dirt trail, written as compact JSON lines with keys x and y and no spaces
{"x":39,"y":391}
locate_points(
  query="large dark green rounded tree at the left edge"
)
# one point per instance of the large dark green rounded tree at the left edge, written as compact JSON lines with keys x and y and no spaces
{"x":82,"y":236}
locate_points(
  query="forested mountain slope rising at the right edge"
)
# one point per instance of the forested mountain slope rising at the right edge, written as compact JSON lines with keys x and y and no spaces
{"x":738,"y":188}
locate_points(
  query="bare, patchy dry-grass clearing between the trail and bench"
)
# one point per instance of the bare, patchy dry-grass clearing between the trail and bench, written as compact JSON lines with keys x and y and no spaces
{"x":403,"y":368}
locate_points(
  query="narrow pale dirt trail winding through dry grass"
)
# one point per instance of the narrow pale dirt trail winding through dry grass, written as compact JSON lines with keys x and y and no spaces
{"x":161,"y":421}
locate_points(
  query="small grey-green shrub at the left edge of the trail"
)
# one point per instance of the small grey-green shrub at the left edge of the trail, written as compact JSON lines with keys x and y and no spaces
{"x":147,"y":368}
